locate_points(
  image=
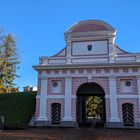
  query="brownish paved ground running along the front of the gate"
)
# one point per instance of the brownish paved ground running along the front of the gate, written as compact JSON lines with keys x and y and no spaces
{"x":69,"y":134}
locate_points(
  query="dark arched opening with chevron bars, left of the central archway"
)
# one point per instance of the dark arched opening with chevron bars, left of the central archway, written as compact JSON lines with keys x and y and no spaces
{"x":56,"y":113}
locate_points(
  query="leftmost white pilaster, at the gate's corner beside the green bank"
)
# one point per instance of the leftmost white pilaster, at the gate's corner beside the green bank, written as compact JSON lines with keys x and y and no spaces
{"x":43,"y":95}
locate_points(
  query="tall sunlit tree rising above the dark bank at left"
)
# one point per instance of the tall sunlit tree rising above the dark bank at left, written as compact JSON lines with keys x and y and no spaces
{"x":8,"y":62}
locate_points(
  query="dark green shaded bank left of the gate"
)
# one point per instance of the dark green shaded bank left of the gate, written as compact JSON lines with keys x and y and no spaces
{"x":17,"y":108}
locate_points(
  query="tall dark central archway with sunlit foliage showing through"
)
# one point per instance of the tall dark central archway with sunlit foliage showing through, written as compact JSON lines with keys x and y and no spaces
{"x":91,"y":105}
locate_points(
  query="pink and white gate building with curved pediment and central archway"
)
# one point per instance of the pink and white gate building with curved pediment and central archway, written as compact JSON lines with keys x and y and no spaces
{"x":90,"y":80}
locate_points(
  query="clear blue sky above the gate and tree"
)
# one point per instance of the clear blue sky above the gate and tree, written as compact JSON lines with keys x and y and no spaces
{"x":38,"y":26}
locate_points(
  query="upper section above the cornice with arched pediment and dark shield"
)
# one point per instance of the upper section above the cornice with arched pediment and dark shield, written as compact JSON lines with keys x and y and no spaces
{"x":90,"y":42}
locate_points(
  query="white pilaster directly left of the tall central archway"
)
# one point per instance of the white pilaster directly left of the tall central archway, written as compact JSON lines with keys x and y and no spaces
{"x":67,"y":108}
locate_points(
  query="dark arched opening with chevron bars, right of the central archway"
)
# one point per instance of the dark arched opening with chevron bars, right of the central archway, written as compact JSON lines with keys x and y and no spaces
{"x":128,"y":115}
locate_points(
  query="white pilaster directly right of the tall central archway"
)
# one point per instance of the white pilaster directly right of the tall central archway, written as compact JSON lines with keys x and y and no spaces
{"x":113,"y":100}
